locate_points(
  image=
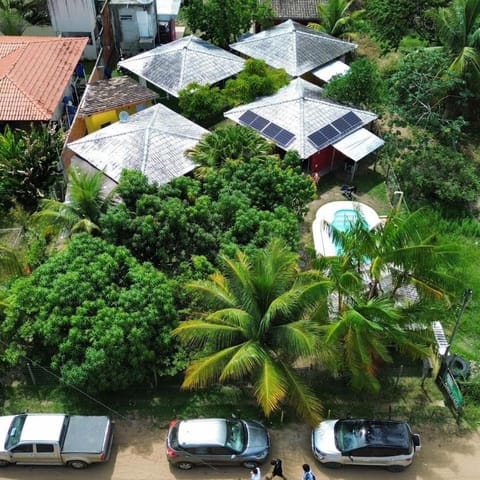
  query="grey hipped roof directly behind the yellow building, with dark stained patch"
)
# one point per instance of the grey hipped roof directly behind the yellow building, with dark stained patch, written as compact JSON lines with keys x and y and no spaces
{"x":174,"y":65}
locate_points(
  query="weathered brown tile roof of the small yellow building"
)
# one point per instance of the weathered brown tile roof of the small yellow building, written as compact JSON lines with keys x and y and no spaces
{"x":116,"y":92}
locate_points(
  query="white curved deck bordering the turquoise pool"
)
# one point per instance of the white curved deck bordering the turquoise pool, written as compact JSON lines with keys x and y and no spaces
{"x":325,"y":215}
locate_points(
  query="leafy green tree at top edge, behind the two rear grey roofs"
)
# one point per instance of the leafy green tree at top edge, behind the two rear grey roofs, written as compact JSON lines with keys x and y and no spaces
{"x":223,"y":21}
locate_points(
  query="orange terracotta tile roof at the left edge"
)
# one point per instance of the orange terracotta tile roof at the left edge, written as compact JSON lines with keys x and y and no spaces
{"x":34,"y":73}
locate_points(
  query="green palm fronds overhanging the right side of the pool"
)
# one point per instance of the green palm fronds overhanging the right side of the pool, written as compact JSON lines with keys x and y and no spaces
{"x":401,"y":251}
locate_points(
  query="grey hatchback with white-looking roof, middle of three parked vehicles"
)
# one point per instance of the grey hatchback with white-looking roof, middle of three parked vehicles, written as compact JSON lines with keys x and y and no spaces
{"x":208,"y":441}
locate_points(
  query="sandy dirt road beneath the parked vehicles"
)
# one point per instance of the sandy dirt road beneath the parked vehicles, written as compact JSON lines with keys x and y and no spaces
{"x":139,"y":454}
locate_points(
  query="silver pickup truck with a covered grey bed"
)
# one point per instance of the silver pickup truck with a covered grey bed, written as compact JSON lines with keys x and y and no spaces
{"x":54,"y":439}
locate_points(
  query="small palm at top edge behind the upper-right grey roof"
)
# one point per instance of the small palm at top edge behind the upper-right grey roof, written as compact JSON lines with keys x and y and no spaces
{"x":336,"y":17}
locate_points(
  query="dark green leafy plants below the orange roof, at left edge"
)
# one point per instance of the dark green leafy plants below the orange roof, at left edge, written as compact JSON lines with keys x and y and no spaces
{"x":29,"y":165}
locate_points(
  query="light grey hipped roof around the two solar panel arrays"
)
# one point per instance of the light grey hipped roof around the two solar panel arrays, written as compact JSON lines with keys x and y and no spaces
{"x":301,"y":109}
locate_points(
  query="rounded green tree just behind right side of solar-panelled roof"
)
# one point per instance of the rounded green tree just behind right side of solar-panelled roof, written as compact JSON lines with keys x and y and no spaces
{"x":362,"y":86}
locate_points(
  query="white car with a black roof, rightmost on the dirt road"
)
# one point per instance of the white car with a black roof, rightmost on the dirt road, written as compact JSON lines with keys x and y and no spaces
{"x":385,"y":443}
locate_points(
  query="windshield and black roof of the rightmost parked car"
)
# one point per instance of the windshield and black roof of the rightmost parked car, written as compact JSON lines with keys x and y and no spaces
{"x":353,"y":434}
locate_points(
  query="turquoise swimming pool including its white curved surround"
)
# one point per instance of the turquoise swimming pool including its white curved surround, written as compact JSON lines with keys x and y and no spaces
{"x":340,"y":215}
